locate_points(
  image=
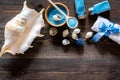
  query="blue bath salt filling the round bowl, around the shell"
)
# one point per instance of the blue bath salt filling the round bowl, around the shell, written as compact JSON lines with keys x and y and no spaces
{"x":53,"y":11}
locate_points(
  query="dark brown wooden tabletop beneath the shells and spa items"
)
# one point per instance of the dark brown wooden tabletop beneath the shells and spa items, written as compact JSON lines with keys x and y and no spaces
{"x":49,"y":60}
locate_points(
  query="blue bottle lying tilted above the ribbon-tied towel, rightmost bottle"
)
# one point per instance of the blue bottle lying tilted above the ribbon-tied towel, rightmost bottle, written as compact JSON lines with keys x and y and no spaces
{"x":100,"y":7}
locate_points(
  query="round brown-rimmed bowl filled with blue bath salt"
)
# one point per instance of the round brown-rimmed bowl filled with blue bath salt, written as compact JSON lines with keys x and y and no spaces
{"x":51,"y":11}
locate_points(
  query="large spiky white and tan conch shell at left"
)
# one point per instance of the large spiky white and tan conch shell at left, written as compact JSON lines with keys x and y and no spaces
{"x":22,"y":30}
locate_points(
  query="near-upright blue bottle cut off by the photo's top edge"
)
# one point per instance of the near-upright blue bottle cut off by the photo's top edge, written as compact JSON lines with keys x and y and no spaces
{"x":80,"y":8}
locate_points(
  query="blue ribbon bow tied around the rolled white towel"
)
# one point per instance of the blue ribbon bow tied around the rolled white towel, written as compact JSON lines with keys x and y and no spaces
{"x":105,"y":30}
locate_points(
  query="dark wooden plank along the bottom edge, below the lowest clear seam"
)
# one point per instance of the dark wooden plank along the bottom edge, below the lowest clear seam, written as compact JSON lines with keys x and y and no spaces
{"x":59,"y":69}
